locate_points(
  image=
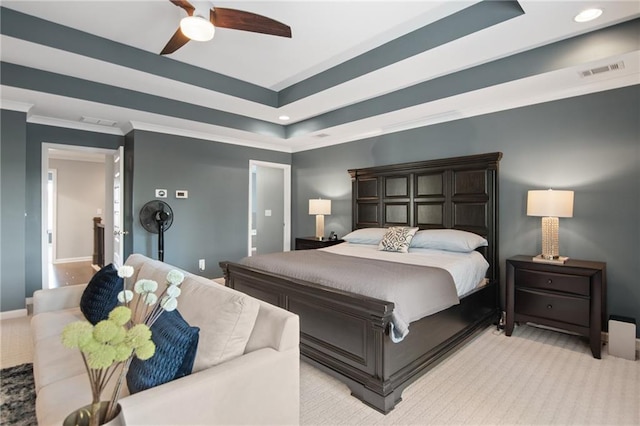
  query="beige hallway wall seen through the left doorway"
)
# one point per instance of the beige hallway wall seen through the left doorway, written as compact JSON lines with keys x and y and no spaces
{"x":80,"y":193}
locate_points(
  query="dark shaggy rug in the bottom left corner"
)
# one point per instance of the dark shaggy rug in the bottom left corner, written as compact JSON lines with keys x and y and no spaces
{"x":17,"y":396}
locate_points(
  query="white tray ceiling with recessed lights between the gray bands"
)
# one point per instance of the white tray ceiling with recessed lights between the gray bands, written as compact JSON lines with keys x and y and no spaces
{"x":325,"y":34}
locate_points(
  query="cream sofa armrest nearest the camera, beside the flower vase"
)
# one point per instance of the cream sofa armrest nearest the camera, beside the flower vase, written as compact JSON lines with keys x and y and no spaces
{"x":261,"y":387}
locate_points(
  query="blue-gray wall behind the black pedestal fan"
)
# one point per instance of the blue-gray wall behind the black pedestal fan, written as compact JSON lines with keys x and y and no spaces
{"x":212,"y":224}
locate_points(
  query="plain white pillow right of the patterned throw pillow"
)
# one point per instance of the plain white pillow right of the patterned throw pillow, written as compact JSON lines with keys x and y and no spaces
{"x":448,"y":239}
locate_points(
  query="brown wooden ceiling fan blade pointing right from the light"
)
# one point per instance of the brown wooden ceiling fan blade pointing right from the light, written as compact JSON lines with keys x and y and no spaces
{"x":247,"y":21}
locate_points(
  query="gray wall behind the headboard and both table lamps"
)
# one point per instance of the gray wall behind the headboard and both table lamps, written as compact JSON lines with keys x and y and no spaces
{"x":589,"y":144}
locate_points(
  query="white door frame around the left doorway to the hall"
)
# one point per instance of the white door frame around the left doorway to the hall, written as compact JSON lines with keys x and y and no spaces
{"x":44,"y":167}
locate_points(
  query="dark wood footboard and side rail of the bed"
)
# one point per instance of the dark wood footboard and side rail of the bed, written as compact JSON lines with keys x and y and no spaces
{"x":346,"y":335}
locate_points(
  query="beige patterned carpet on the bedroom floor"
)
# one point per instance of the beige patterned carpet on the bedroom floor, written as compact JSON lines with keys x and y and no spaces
{"x":535,"y":377}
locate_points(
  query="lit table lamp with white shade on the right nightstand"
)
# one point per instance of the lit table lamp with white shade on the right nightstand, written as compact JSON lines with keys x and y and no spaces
{"x":550,"y":205}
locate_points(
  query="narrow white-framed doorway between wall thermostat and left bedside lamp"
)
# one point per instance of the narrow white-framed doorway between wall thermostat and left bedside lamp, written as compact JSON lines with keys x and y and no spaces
{"x":269,"y":207}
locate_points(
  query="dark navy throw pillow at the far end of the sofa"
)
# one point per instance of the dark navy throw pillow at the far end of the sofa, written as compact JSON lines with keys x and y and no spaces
{"x":101,"y":294}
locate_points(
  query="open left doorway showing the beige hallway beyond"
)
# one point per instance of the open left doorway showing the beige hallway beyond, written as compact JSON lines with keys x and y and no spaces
{"x":75,"y":193}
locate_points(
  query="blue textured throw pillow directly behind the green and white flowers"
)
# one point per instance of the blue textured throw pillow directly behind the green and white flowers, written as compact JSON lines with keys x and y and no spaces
{"x":176,"y":344}
